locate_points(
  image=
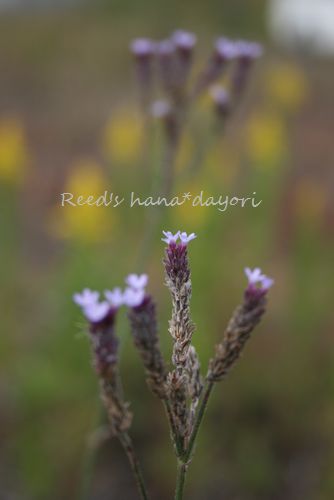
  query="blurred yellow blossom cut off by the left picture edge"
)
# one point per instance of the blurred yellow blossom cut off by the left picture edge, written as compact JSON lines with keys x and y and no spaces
{"x":13,"y":151}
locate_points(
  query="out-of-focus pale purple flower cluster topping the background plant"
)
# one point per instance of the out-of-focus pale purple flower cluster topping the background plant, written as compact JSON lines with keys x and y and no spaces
{"x":172,"y":59}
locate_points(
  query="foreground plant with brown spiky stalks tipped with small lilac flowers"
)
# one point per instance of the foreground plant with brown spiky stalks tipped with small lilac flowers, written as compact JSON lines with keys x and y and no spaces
{"x":182,"y":388}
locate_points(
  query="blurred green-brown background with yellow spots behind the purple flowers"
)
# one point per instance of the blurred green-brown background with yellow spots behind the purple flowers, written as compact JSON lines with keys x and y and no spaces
{"x":69,"y":121}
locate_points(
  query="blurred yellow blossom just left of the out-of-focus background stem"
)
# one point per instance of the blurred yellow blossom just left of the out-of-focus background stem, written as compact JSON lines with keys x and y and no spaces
{"x":123,"y":136}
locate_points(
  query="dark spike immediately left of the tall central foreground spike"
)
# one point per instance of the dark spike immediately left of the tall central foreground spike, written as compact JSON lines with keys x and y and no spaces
{"x":144,"y":331}
